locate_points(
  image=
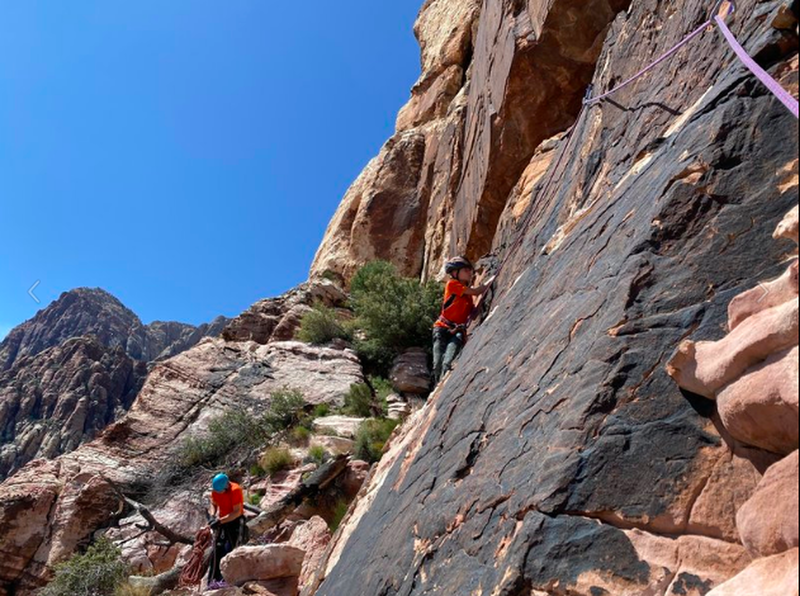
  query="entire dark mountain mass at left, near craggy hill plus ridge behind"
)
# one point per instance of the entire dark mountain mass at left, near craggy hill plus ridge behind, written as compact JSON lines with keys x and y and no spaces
{"x":76,"y":367}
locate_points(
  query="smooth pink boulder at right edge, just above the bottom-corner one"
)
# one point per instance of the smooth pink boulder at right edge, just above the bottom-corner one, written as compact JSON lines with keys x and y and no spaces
{"x":768,"y":522}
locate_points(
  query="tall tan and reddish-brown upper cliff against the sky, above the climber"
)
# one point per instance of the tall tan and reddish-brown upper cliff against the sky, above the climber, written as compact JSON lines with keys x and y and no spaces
{"x":498,"y":79}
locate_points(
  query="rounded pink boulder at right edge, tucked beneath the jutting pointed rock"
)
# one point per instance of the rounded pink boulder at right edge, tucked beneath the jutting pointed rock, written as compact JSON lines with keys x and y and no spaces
{"x":761,"y":407}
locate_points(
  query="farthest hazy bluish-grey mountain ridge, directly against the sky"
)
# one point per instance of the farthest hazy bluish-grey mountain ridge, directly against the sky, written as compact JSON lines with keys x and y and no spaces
{"x":94,"y":312}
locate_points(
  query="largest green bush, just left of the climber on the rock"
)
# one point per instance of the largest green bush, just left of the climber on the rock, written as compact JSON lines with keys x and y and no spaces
{"x":393,"y":312}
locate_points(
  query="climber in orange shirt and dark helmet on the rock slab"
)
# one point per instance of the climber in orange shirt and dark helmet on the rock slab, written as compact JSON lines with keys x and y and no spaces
{"x":450,"y":329}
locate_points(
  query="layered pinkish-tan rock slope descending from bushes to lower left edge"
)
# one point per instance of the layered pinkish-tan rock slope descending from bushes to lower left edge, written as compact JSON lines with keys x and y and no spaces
{"x":180,"y":396}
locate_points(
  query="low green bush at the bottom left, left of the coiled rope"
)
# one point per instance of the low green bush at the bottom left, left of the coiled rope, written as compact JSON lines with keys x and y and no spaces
{"x":97,"y":572}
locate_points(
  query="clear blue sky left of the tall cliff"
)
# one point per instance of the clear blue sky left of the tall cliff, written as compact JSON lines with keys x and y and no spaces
{"x":186,"y":155}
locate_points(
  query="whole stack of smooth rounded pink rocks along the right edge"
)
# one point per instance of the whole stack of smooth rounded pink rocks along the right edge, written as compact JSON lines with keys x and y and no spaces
{"x":752,"y":374}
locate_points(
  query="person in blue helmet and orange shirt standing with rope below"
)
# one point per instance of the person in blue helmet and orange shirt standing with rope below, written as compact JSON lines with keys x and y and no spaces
{"x":227,"y":501}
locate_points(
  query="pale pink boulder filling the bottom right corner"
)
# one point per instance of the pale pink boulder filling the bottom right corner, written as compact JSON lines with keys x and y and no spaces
{"x":771,"y":576}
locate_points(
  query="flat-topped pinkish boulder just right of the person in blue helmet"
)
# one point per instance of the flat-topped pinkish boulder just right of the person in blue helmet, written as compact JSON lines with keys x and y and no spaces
{"x":258,"y":563}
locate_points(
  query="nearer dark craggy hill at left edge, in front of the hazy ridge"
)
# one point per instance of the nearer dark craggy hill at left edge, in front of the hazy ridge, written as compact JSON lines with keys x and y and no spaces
{"x":52,"y":402}
